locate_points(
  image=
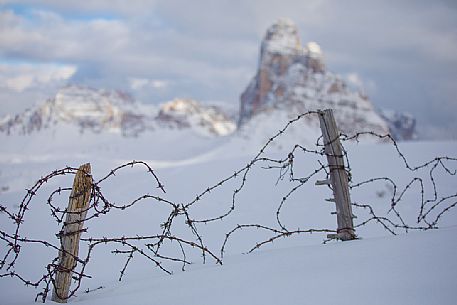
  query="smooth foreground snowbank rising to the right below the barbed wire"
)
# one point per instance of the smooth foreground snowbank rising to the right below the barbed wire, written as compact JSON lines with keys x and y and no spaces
{"x":416,"y":269}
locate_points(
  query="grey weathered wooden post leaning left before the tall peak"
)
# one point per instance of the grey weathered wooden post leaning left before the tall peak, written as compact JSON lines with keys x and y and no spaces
{"x":338,"y":176}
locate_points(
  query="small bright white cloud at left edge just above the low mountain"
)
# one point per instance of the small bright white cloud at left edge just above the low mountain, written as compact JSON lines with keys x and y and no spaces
{"x":20,"y":77}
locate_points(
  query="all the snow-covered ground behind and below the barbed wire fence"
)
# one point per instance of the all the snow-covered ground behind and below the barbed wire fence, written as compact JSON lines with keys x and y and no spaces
{"x":414,"y":268}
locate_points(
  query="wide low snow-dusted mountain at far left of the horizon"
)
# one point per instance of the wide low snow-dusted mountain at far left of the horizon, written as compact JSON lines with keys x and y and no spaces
{"x":84,"y":107}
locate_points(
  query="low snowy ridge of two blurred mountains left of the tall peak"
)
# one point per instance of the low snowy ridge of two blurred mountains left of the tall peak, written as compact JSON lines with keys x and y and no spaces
{"x":113,"y":111}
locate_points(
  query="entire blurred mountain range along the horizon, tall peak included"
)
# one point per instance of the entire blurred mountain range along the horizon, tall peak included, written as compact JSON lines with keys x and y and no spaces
{"x":291,"y":79}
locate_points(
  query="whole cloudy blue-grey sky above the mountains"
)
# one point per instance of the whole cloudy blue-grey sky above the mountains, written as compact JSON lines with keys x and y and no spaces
{"x":403,"y":53}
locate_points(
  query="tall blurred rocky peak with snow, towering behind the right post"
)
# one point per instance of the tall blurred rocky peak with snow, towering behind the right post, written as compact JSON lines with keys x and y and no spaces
{"x":294,"y":79}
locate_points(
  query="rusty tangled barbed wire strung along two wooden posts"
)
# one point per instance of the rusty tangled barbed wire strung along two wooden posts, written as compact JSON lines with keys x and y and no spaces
{"x":432,"y":208}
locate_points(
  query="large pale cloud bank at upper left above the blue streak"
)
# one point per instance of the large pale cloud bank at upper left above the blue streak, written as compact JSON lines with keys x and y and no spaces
{"x":49,"y":37}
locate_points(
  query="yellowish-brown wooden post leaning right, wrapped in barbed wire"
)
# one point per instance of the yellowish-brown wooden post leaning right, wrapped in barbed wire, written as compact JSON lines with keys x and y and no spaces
{"x":71,"y":232}
